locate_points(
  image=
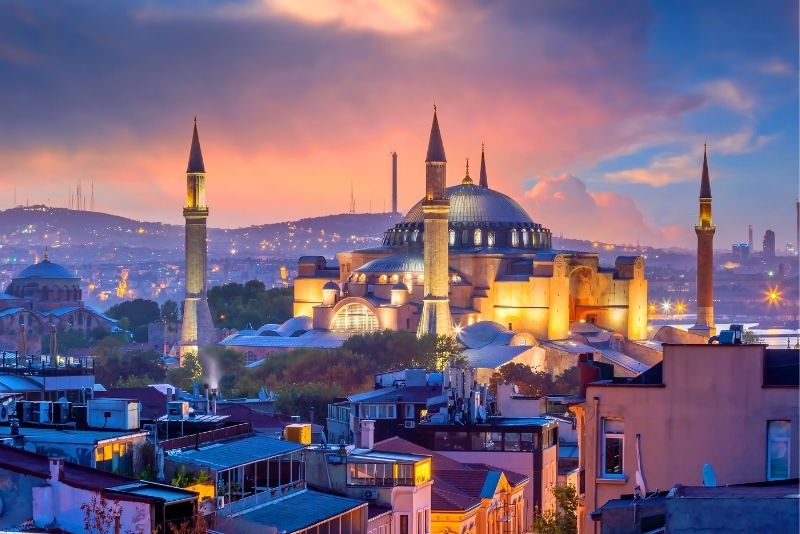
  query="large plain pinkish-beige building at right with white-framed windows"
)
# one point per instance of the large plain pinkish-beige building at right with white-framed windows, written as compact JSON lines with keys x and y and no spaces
{"x":626,"y":425}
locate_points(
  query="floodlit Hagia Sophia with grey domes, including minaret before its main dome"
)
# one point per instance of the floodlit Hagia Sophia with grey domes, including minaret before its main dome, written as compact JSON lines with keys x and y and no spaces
{"x":497,"y":264}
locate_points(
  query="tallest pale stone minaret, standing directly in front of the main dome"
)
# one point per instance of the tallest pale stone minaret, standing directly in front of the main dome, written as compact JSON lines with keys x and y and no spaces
{"x":435,"y":317}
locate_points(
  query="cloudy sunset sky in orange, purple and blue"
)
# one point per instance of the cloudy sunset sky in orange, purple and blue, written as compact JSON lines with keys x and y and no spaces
{"x":285,"y":98}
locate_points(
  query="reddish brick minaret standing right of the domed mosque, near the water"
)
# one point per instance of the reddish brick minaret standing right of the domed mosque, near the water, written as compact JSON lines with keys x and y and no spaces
{"x":704,"y":325}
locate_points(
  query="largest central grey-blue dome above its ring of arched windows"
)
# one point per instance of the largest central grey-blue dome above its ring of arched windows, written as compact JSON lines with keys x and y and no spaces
{"x":474,"y":204}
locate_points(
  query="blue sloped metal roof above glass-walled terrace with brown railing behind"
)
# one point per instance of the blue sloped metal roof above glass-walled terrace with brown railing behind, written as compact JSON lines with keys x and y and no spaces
{"x":229,"y":454}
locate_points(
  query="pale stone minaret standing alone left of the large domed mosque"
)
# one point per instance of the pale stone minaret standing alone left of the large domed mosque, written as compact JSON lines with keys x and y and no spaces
{"x":197,"y":328}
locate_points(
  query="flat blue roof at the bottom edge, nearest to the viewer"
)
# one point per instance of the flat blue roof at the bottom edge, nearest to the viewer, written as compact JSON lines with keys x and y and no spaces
{"x":300,"y":510}
